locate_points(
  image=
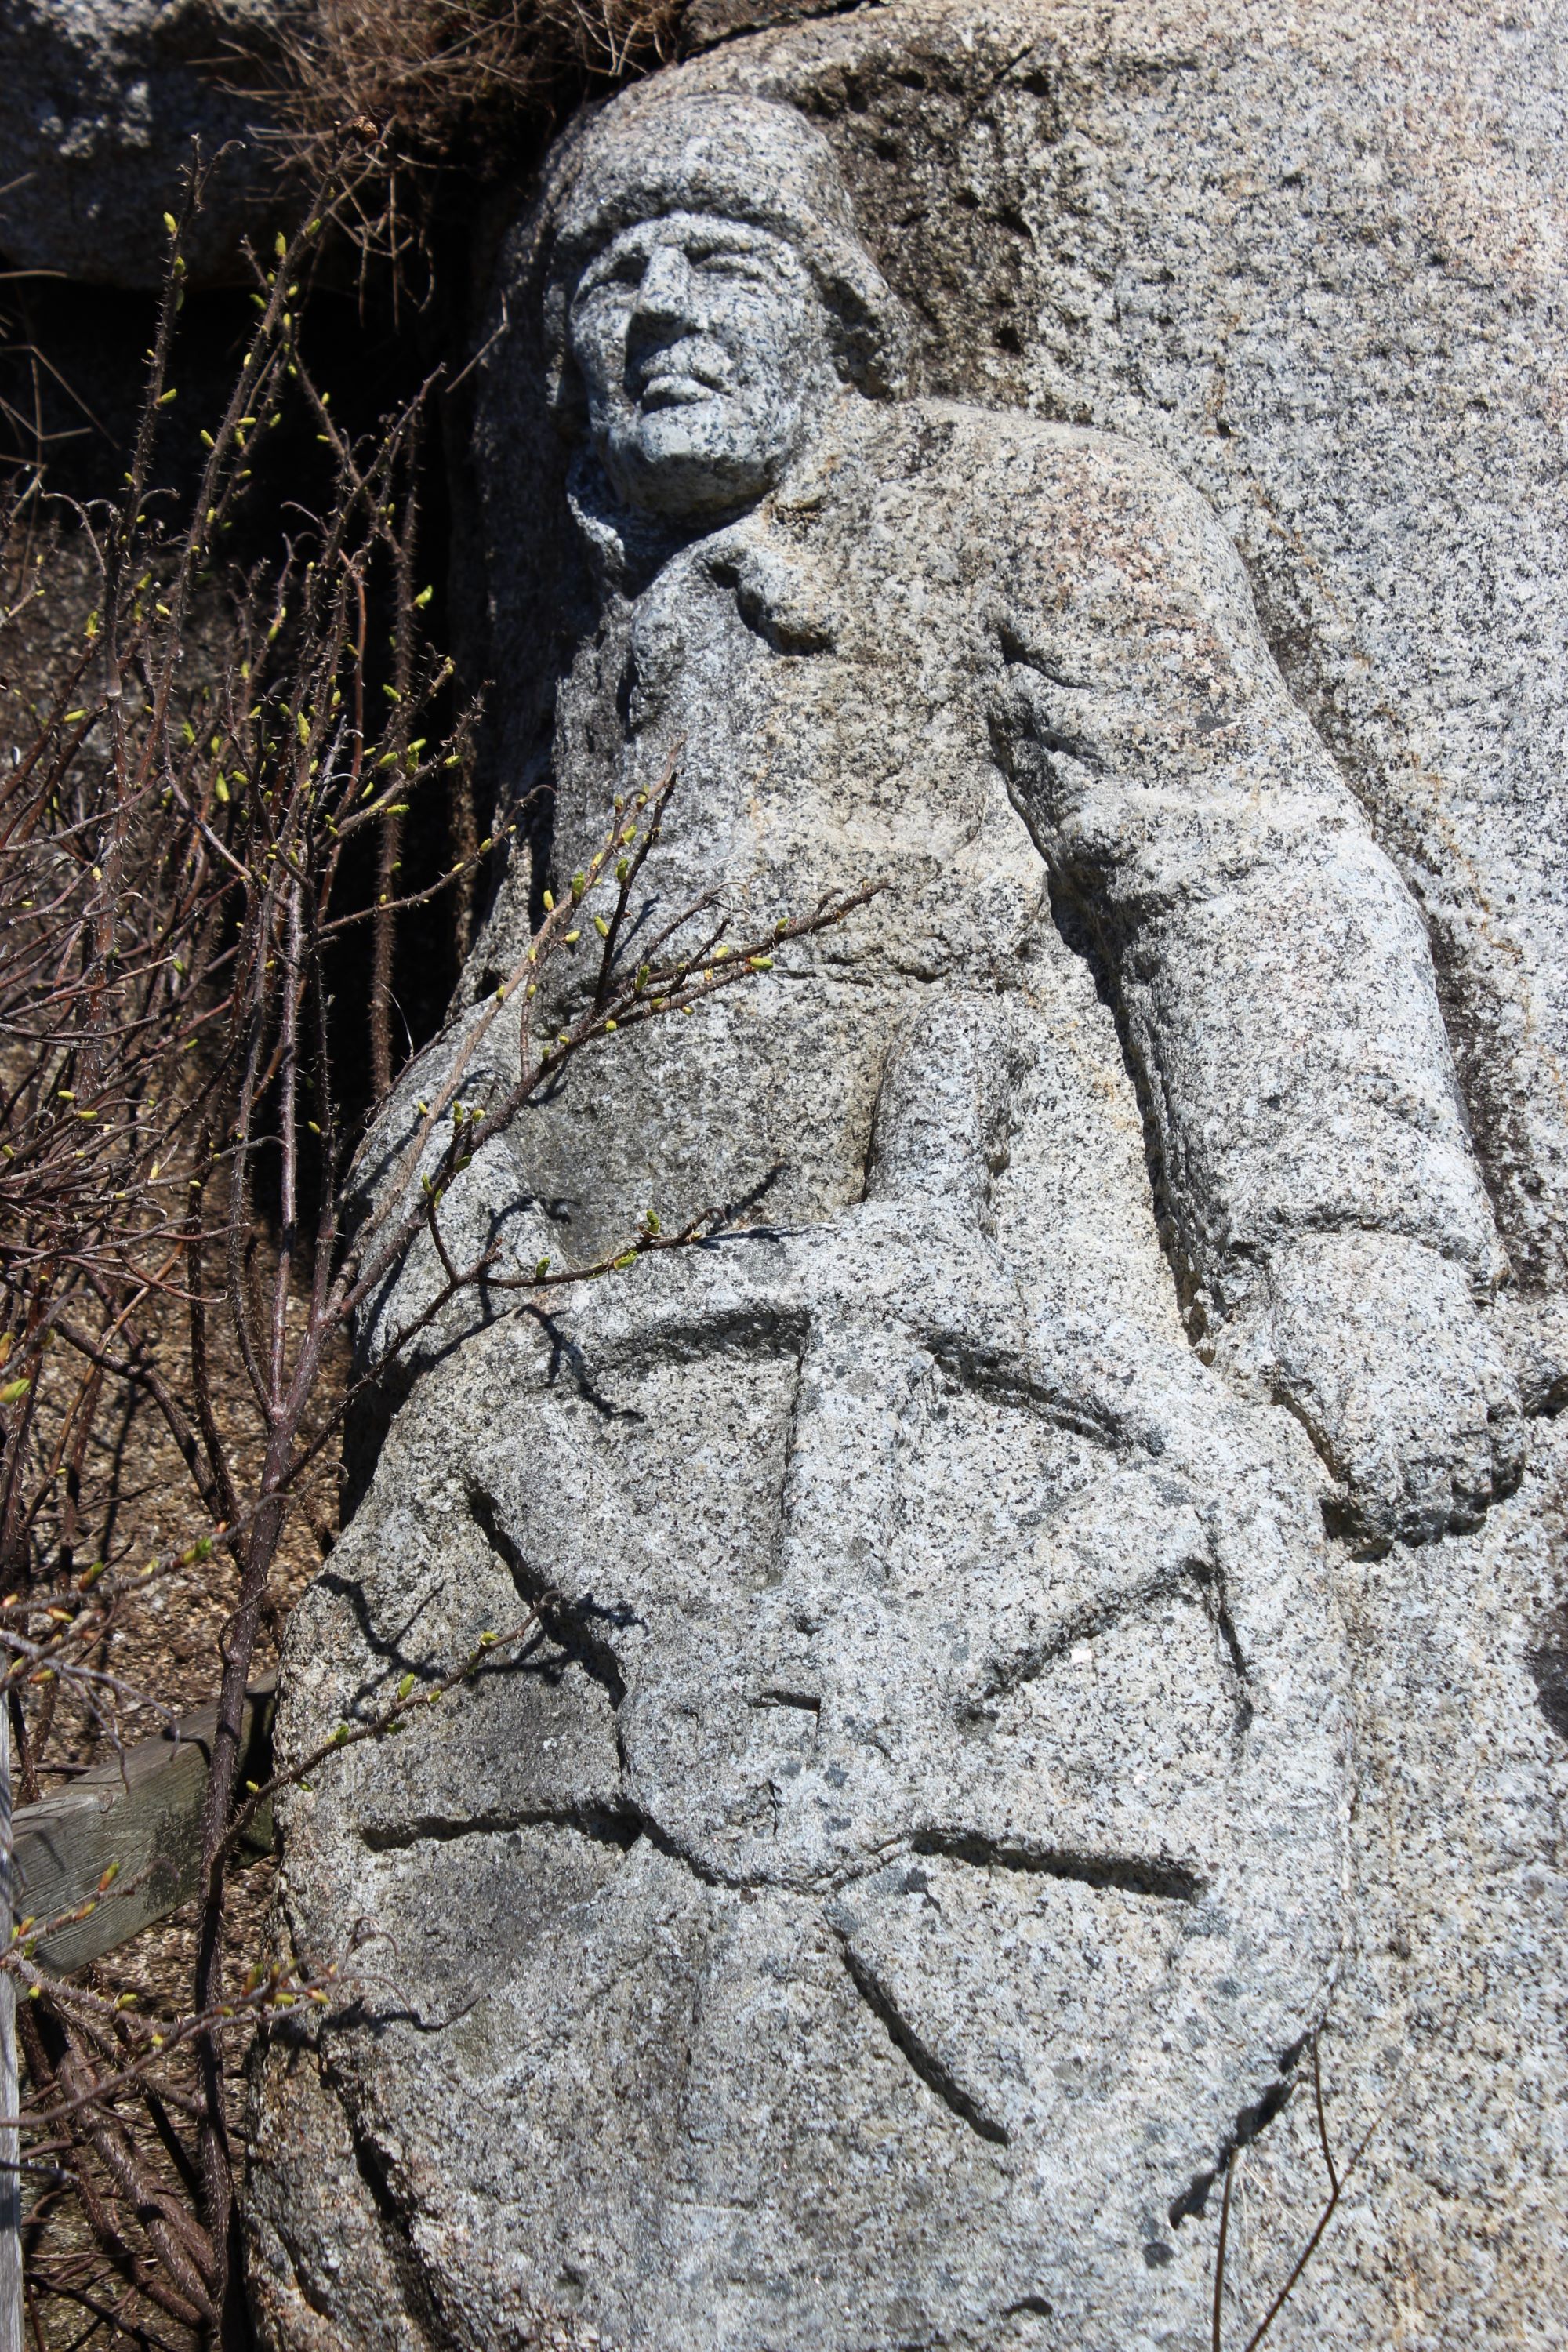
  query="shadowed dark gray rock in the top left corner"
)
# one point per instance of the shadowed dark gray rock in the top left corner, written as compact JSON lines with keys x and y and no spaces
{"x":100,"y":102}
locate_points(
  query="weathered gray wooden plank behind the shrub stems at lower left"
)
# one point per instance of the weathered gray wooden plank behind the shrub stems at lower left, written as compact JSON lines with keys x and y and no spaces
{"x":142,"y":1815}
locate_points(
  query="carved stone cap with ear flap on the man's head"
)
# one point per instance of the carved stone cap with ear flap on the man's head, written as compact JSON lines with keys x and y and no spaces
{"x":744,"y":159}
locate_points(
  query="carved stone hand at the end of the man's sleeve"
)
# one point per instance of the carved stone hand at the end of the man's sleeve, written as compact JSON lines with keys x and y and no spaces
{"x":1376,"y":1344}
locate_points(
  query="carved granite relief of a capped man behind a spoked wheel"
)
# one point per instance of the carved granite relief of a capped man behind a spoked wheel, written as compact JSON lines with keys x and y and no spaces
{"x":916,"y":1857}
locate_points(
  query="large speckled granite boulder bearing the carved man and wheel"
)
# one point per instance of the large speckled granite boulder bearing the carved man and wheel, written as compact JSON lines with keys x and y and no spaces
{"x":967,"y":1763}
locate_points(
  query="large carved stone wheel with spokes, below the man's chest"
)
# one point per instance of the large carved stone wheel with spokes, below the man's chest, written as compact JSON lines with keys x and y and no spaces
{"x":904,"y":1869}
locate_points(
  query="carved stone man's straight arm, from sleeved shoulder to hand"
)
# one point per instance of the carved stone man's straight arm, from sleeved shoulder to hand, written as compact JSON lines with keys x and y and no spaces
{"x":1275,"y":987}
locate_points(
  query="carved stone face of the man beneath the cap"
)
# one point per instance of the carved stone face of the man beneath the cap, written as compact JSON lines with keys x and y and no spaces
{"x":704,"y":352}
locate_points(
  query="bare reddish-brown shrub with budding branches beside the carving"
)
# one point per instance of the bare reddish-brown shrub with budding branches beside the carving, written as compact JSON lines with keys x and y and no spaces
{"x":206,"y":803}
